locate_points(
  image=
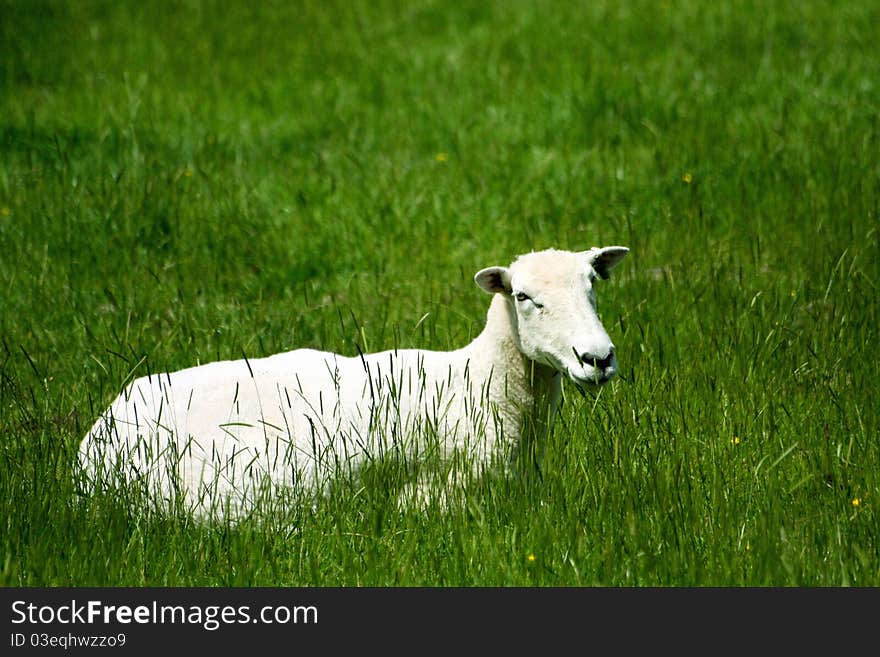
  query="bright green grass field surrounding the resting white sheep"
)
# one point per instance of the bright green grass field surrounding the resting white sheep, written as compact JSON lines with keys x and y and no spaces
{"x":184,"y":182}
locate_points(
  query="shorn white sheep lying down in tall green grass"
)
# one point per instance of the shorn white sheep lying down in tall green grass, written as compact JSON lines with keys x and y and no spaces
{"x":215,"y":435}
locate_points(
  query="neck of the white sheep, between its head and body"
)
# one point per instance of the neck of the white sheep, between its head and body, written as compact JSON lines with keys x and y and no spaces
{"x":529,"y":387}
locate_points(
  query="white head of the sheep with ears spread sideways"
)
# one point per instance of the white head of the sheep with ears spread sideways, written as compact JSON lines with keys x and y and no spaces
{"x":550,"y":294}
